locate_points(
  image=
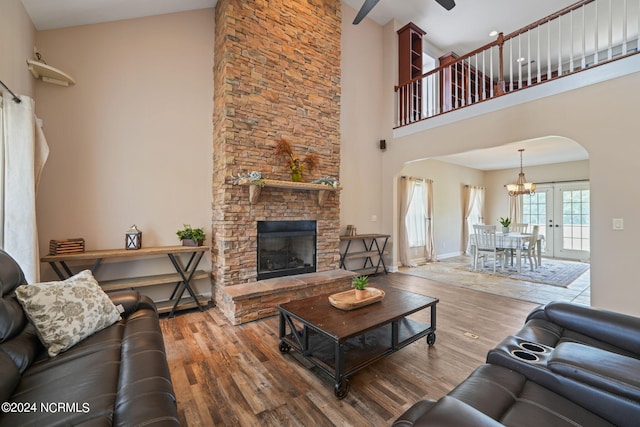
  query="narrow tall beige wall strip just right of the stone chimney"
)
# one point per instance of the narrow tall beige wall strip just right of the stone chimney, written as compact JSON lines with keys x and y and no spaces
{"x":360,"y":124}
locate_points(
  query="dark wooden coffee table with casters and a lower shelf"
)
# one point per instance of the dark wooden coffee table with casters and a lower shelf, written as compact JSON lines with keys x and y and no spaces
{"x":340,"y":342}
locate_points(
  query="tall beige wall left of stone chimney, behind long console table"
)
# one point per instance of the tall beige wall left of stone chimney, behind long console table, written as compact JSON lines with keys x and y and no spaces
{"x":131,"y":142}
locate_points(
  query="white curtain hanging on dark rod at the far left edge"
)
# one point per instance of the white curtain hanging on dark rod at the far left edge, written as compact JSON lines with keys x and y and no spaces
{"x":23,"y":153}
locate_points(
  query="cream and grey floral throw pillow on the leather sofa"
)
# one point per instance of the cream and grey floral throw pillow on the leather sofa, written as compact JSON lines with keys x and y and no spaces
{"x":64,"y":313}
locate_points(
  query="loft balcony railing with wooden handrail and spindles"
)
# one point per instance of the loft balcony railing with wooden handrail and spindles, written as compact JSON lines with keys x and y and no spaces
{"x":586,"y":34}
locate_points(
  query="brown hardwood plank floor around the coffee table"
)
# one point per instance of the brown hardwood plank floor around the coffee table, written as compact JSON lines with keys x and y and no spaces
{"x":236,"y":375}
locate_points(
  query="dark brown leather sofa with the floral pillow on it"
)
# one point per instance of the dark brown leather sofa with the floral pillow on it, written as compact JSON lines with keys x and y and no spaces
{"x":117,"y":376}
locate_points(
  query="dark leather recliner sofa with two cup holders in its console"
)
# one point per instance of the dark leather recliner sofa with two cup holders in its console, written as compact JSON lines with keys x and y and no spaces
{"x":569,"y":365}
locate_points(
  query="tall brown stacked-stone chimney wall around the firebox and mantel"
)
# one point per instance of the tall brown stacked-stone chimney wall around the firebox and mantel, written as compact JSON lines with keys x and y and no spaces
{"x":276,"y":75}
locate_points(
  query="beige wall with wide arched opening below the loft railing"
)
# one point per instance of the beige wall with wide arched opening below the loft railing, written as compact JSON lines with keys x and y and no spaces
{"x":600,"y":117}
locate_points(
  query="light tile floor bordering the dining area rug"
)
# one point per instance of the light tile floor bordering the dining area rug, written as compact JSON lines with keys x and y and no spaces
{"x":445,"y":271}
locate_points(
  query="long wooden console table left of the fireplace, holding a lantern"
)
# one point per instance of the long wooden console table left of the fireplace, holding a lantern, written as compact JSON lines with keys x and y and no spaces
{"x":182,"y":277}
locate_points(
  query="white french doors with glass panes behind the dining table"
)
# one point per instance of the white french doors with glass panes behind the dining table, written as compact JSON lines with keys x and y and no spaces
{"x":562,"y":211}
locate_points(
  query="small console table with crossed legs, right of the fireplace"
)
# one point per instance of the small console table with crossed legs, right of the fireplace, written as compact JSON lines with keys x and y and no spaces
{"x":373,"y":249}
